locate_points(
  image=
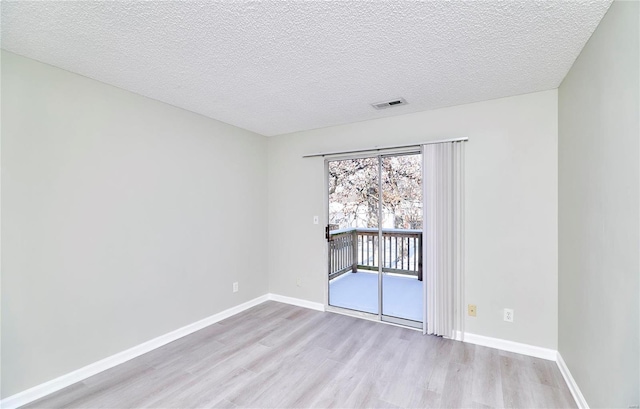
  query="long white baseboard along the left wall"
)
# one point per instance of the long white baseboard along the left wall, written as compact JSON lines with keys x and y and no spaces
{"x":54,"y":385}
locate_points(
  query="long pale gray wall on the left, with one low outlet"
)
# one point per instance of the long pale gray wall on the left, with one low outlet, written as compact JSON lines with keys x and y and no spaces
{"x":123,"y":219}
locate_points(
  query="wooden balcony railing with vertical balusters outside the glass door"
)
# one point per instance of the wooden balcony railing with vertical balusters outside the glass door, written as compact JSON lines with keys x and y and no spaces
{"x":356,"y":249}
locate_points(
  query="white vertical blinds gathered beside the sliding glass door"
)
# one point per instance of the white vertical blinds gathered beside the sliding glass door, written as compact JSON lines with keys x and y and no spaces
{"x":443,"y":238}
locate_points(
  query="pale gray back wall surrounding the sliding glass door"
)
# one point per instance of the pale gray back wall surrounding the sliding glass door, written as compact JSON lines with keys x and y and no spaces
{"x":511,"y":207}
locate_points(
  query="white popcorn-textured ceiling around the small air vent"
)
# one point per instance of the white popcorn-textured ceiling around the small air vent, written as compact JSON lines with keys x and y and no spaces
{"x":275,"y":67}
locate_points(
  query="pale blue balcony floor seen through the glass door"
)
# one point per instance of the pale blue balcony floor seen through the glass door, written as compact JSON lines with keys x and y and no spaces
{"x":401,"y":296}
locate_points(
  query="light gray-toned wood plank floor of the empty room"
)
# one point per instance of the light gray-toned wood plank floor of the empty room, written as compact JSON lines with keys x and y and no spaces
{"x":278,"y":356}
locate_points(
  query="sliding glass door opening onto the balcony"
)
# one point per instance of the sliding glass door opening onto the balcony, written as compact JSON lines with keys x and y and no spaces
{"x":375,"y":238}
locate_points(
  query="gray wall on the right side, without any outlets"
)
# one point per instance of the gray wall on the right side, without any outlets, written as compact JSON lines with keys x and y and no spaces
{"x":599,"y":182}
